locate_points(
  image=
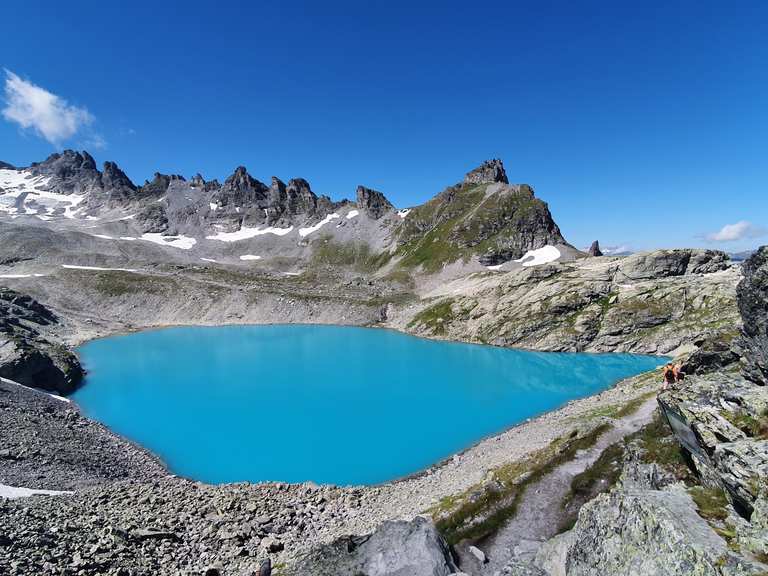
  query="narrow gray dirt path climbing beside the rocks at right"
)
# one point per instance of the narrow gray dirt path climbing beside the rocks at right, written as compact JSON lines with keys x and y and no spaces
{"x":540,"y":511}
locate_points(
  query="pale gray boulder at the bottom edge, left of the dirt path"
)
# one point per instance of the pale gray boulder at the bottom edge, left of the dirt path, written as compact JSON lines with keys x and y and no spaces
{"x":395,"y":549}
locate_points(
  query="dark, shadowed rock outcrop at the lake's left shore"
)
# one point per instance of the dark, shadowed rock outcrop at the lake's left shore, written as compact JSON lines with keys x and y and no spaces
{"x":26,"y":356}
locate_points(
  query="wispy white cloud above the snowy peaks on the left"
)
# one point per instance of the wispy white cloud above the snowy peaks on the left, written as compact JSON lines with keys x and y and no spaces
{"x":33,"y":107}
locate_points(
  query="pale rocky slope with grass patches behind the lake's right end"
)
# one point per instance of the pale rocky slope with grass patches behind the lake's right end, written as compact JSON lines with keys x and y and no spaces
{"x":651,"y":303}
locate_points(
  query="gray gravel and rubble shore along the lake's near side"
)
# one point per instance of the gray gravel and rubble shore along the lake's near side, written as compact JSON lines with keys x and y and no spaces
{"x":126,"y":513}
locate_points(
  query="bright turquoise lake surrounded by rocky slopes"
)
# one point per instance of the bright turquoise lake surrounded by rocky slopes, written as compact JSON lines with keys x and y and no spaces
{"x":329,"y":404}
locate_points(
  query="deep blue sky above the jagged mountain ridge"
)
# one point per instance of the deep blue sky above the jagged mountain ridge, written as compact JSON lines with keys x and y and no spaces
{"x":642,"y":124}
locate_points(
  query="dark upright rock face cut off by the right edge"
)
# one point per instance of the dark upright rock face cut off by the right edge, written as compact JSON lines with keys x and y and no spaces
{"x":752,"y":295}
